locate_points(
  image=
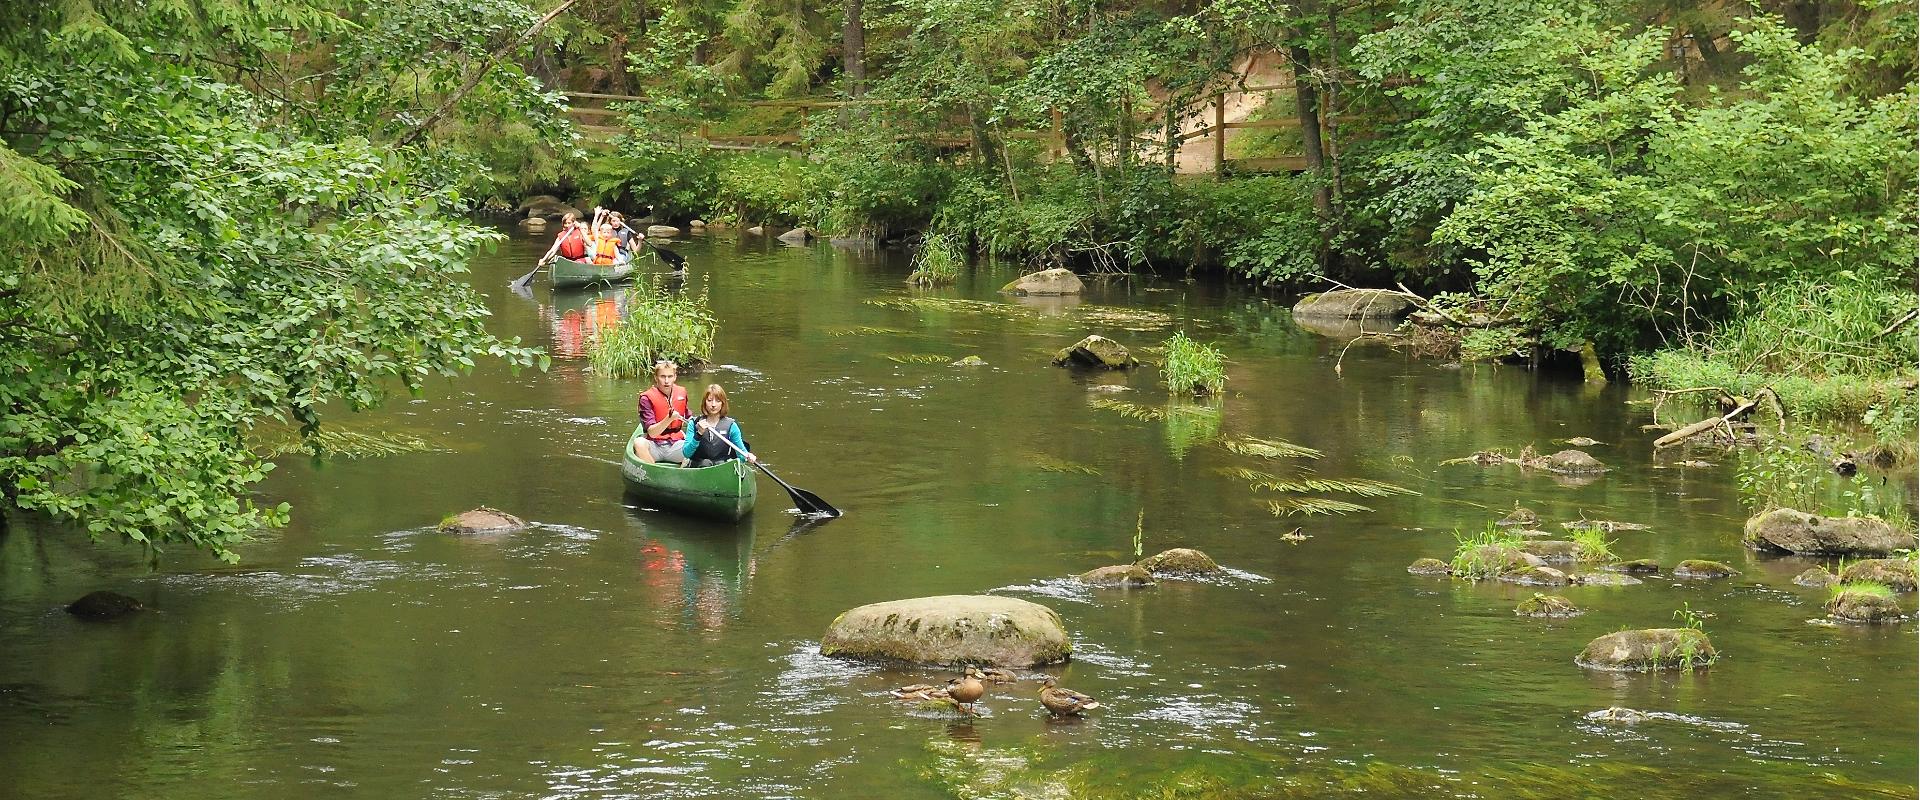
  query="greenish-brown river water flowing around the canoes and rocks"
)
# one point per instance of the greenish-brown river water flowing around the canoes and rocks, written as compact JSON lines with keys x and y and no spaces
{"x":617,"y":651}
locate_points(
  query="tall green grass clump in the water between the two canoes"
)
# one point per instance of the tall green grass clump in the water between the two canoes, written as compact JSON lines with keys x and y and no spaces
{"x":660,"y":325}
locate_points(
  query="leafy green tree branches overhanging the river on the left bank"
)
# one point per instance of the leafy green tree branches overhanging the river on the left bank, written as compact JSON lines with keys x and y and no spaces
{"x":197,"y":248}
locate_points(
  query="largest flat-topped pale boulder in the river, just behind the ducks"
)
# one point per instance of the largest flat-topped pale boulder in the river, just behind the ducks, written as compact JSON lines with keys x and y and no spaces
{"x":951,"y":630}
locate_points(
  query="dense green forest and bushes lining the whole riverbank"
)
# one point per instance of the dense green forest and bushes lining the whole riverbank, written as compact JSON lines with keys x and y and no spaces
{"x":220,"y":218}
